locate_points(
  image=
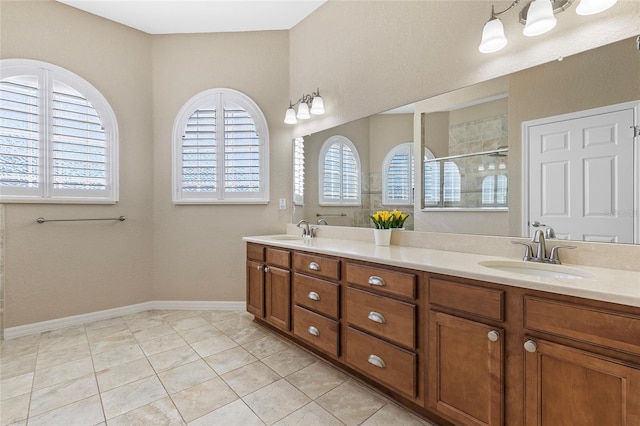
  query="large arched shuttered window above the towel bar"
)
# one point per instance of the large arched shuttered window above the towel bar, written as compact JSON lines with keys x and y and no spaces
{"x":58,"y":136}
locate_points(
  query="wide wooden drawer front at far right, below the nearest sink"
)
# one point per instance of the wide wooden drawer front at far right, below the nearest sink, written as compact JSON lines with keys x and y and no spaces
{"x":589,"y":325}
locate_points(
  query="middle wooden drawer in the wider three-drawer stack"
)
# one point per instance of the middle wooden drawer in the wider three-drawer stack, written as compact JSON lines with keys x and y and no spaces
{"x":388,"y":318}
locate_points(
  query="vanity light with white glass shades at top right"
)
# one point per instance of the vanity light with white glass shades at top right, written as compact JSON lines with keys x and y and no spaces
{"x":537,"y":17}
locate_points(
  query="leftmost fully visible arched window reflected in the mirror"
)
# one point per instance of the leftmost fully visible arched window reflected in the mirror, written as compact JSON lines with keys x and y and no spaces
{"x":339,"y":173}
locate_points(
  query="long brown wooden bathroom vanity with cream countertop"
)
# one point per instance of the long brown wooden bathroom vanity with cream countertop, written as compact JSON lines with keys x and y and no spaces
{"x":455,"y":341}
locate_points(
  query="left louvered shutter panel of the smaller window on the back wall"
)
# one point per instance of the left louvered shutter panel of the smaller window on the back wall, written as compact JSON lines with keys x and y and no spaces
{"x":199,"y":152}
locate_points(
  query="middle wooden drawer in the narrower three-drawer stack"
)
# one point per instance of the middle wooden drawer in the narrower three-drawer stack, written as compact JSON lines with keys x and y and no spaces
{"x":315,"y":294}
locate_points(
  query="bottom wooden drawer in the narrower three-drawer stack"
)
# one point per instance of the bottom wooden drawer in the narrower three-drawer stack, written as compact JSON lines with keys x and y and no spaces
{"x":317,"y":330}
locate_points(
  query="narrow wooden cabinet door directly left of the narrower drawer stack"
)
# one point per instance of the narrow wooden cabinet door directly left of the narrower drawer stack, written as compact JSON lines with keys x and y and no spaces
{"x":278,"y":297}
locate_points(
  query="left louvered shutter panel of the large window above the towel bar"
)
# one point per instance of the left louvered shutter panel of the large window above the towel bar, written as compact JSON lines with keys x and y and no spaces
{"x":19,"y":134}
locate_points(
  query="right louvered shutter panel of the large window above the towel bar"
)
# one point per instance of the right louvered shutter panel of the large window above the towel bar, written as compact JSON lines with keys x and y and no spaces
{"x":79,"y":156}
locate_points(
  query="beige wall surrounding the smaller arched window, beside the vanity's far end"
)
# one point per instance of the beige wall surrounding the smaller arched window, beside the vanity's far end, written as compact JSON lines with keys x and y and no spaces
{"x":198,"y":249}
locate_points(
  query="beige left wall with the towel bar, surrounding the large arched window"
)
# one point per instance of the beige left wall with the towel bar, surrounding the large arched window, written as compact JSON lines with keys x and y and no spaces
{"x":54,"y":270}
